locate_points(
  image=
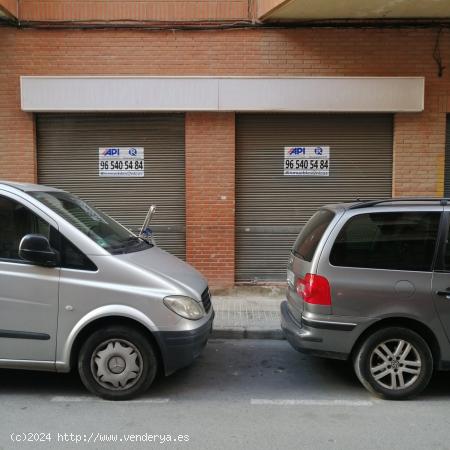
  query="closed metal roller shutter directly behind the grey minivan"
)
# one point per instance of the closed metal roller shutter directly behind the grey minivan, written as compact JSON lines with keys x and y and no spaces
{"x":271,"y":208}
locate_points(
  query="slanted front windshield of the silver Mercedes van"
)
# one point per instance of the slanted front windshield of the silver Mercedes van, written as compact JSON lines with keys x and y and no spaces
{"x":98,"y":226}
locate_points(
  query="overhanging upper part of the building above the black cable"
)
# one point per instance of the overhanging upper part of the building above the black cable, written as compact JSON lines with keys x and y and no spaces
{"x":138,"y":13}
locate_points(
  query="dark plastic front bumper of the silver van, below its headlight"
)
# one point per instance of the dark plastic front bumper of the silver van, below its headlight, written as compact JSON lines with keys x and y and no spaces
{"x":181,"y":348}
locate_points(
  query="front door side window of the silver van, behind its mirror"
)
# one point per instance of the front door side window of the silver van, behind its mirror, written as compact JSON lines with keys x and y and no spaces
{"x":16,"y":221}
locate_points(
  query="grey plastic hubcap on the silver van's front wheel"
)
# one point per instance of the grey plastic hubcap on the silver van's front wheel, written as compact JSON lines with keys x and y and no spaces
{"x":116,"y":364}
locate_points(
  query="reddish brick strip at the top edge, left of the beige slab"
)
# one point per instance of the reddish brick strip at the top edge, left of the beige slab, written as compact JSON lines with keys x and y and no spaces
{"x":153,"y":10}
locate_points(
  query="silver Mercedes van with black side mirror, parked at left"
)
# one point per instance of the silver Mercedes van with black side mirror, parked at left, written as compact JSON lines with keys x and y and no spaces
{"x":77,"y":289}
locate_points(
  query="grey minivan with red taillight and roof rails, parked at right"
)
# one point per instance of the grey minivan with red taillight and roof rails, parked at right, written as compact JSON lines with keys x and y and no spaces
{"x":370,"y":282}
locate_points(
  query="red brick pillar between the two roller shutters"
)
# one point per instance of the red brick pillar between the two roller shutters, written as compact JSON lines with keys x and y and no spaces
{"x":210,"y":142}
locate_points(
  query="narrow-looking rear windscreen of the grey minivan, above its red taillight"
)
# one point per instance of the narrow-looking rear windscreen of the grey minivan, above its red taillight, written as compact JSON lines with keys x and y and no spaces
{"x":307,"y":241}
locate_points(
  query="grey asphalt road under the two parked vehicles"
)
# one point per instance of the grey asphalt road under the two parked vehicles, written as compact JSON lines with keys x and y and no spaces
{"x":239,"y":395}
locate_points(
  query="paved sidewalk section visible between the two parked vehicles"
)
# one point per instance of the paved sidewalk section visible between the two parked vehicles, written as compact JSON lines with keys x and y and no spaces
{"x":251,"y":312}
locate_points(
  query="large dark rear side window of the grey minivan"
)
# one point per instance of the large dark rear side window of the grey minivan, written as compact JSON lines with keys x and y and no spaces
{"x":388,"y":240}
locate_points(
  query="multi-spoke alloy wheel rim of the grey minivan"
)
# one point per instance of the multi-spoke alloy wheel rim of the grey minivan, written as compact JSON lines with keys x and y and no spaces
{"x":395,"y":364}
